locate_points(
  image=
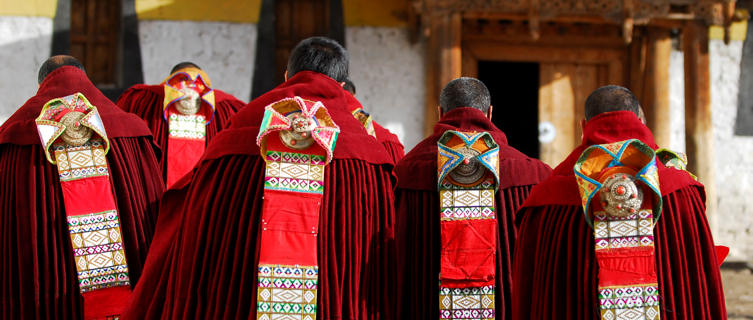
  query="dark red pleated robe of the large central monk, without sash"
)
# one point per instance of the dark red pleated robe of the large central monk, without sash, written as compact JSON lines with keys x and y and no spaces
{"x":203,"y":263}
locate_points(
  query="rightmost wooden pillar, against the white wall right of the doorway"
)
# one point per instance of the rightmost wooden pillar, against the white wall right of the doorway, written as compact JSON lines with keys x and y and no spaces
{"x":699,"y":137}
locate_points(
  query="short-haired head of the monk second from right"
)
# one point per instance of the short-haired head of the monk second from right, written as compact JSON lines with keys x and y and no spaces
{"x":465,"y":92}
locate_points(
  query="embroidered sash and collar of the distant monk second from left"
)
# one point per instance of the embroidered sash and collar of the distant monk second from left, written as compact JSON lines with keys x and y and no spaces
{"x":188,"y":109}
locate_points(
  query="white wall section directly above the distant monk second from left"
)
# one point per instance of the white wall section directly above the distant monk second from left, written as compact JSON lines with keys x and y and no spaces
{"x":225,"y":51}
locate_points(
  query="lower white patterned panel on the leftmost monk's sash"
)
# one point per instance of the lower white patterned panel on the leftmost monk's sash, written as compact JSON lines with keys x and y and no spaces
{"x":98,"y":250}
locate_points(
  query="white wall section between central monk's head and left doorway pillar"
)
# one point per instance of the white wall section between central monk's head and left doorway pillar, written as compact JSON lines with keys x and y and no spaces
{"x":388,"y":72}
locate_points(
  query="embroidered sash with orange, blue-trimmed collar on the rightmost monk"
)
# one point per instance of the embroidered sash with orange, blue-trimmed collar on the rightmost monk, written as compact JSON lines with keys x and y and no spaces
{"x":625,"y":178}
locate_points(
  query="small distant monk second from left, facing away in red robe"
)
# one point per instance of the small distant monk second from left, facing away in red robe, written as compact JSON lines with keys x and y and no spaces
{"x":184,"y":113}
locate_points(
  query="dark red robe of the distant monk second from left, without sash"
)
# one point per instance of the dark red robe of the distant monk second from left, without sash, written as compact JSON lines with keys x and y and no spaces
{"x":147,"y":102}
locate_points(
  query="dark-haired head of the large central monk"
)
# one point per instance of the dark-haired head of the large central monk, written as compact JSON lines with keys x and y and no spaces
{"x":319,"y":54}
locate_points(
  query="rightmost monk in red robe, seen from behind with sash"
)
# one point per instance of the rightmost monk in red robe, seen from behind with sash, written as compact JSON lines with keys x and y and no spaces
{"x":579,"y":254}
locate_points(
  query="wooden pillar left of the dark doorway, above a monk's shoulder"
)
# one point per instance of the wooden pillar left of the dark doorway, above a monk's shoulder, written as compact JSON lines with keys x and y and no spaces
{"x":444,"y":60}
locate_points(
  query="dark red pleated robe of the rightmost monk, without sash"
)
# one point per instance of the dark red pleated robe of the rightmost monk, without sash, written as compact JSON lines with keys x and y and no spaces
{"x":555,"y":268}
